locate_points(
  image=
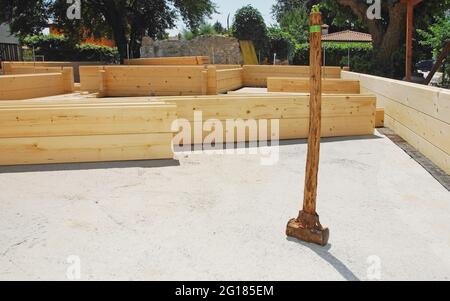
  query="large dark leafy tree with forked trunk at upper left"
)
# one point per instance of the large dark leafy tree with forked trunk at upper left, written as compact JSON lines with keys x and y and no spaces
{"x":126,"y":21}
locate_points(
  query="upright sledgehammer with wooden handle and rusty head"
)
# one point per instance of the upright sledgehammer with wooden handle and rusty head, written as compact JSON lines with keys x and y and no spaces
{"x":307,"y":226}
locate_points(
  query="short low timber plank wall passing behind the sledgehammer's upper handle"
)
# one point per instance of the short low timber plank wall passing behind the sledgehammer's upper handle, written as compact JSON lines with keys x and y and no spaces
{"x":302,"y":85}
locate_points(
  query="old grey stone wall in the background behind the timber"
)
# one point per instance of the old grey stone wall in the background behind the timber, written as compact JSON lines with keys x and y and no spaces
{"x":220,"y":49}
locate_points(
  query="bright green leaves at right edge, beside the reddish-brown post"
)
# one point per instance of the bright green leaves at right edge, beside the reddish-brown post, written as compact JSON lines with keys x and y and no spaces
{"x":437,"y":35}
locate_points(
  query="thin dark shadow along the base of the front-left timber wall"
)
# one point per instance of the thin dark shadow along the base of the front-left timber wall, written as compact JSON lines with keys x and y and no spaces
{"x":88,"y":166}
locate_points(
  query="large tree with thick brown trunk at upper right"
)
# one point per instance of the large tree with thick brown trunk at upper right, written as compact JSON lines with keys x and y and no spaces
{"x":388,"y":33}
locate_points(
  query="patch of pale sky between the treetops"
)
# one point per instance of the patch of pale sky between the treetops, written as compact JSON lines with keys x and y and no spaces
{"x":225,"y":7}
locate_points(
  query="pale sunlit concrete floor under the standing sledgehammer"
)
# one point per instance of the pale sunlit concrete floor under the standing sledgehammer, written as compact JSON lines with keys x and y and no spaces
{"x":223,"y":217}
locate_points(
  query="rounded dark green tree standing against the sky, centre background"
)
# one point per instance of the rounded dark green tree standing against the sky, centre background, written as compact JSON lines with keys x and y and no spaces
{"x":249,"y":25}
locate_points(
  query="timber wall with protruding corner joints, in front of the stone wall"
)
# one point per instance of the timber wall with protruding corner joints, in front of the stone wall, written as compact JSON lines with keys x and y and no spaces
{"x":123,"y":81}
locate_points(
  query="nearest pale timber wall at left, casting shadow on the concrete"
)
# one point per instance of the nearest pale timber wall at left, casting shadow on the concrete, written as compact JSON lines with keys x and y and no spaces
{"x":39,"y":132}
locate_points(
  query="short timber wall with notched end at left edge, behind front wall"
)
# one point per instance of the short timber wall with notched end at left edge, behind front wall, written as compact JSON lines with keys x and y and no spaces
{"x":26,"y":86}
